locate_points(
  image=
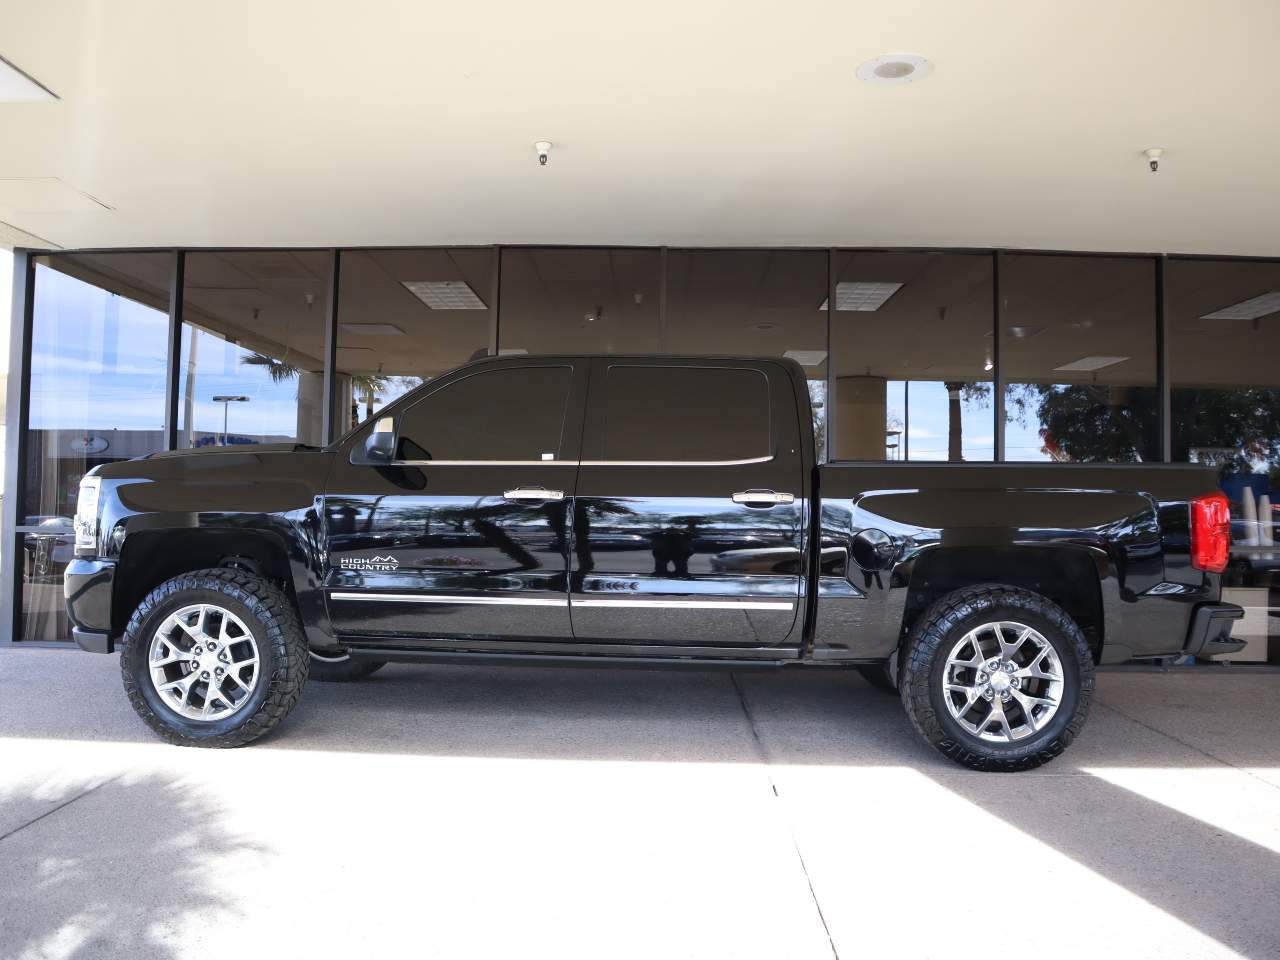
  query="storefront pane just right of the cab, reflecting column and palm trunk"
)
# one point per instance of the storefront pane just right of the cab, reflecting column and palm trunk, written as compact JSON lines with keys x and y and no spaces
{"x":912,"y":336}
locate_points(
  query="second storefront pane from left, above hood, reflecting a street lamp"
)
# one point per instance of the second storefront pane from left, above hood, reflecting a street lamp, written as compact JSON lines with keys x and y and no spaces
{"x":252,"y":368}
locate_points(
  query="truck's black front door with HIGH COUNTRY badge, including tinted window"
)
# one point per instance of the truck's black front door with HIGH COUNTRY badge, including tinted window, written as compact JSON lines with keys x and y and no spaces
{"x":465,"y":533}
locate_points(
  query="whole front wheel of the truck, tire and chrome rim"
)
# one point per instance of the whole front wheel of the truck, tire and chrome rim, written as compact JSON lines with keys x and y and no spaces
{"x":214,"y":659}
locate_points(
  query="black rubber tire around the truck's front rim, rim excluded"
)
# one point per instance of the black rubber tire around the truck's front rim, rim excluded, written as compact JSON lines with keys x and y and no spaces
{"x":282,"y":651}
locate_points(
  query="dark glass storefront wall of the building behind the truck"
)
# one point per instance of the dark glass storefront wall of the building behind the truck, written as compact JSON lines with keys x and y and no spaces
{"x":921,"y":355}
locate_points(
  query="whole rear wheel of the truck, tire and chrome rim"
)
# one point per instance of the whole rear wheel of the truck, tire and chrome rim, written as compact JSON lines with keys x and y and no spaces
{"x":998,"y":678}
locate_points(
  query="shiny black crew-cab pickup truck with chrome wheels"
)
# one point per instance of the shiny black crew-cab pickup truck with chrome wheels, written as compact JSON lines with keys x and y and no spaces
{"x":641,"y":511}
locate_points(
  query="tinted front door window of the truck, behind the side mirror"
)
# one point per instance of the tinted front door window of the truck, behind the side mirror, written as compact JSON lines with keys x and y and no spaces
{"x":515,"y":414}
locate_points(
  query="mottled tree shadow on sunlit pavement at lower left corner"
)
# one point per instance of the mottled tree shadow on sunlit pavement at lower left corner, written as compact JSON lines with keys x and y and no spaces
{"x":126,"y":870}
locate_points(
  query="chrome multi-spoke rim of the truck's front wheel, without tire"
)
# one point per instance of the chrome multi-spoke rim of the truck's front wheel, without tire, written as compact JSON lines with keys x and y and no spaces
{"x":204,"y":662}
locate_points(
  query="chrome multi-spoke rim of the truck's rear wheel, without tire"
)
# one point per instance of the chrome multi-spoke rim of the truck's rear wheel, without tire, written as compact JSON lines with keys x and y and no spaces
{"x":1003,"y":682}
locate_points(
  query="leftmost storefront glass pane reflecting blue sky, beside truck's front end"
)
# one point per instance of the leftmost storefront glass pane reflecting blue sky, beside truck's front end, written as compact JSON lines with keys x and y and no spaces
{"x":98,"y":390}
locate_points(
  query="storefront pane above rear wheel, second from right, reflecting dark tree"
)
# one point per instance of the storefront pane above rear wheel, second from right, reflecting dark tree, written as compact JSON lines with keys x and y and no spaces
{"x":1078,"y":353}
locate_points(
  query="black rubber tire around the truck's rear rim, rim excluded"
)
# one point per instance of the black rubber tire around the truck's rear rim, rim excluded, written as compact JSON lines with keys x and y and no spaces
{"x":944,"y":625}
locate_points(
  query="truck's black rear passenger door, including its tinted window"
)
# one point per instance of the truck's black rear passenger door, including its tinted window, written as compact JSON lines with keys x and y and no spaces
{"x":689,"y":520}
